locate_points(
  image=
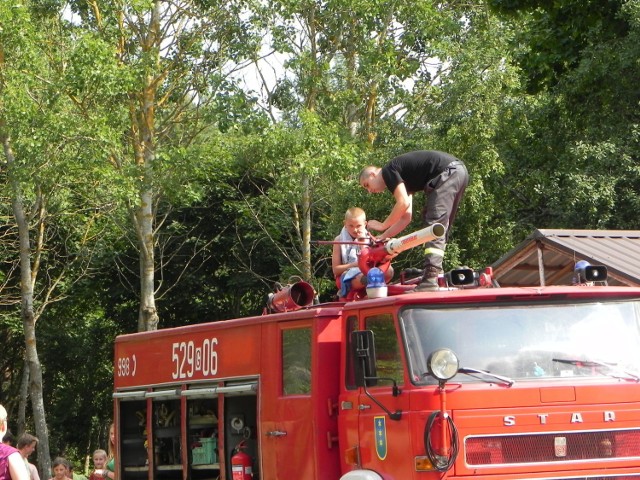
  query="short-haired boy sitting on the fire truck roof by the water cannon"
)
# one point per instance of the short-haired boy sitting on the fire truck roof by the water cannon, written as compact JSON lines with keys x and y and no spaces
{"x":344,"y":261}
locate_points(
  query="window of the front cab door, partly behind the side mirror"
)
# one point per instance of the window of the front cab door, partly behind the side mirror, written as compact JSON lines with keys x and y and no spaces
{"x":388,"y":359}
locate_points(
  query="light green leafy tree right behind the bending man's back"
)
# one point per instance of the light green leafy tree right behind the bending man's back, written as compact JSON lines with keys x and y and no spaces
{"x":461,"y":106}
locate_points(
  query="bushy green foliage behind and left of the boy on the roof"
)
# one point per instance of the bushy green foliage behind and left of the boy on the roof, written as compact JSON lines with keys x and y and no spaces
{"x":274,"y":167}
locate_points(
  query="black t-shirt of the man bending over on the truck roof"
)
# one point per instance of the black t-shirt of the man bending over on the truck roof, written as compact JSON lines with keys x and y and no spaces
{"x":415,"y":169}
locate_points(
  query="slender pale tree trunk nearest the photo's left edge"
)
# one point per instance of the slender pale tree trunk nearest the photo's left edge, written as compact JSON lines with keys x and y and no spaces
{"x":27,"y":280}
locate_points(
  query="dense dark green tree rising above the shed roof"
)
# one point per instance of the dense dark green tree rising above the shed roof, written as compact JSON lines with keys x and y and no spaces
{"x":573,"y":160}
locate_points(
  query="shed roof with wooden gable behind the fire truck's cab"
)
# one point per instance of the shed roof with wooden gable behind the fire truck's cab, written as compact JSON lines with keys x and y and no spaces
{"x":551,"y":255}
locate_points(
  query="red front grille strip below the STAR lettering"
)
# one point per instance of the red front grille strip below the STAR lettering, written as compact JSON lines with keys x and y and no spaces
{"x":553,"y":447}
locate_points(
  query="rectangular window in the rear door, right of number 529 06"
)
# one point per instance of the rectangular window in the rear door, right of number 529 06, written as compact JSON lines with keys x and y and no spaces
{"x":296,"y":361}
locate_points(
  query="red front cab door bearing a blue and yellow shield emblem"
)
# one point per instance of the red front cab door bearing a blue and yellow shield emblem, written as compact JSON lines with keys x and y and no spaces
{"x":385,"y":444}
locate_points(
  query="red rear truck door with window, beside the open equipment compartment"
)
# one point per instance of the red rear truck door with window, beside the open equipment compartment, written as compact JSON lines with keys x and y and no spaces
{"x":286,"y":407}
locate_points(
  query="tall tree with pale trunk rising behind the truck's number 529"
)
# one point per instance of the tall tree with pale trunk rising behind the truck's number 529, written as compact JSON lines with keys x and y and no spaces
{"x":176,"y":55}
